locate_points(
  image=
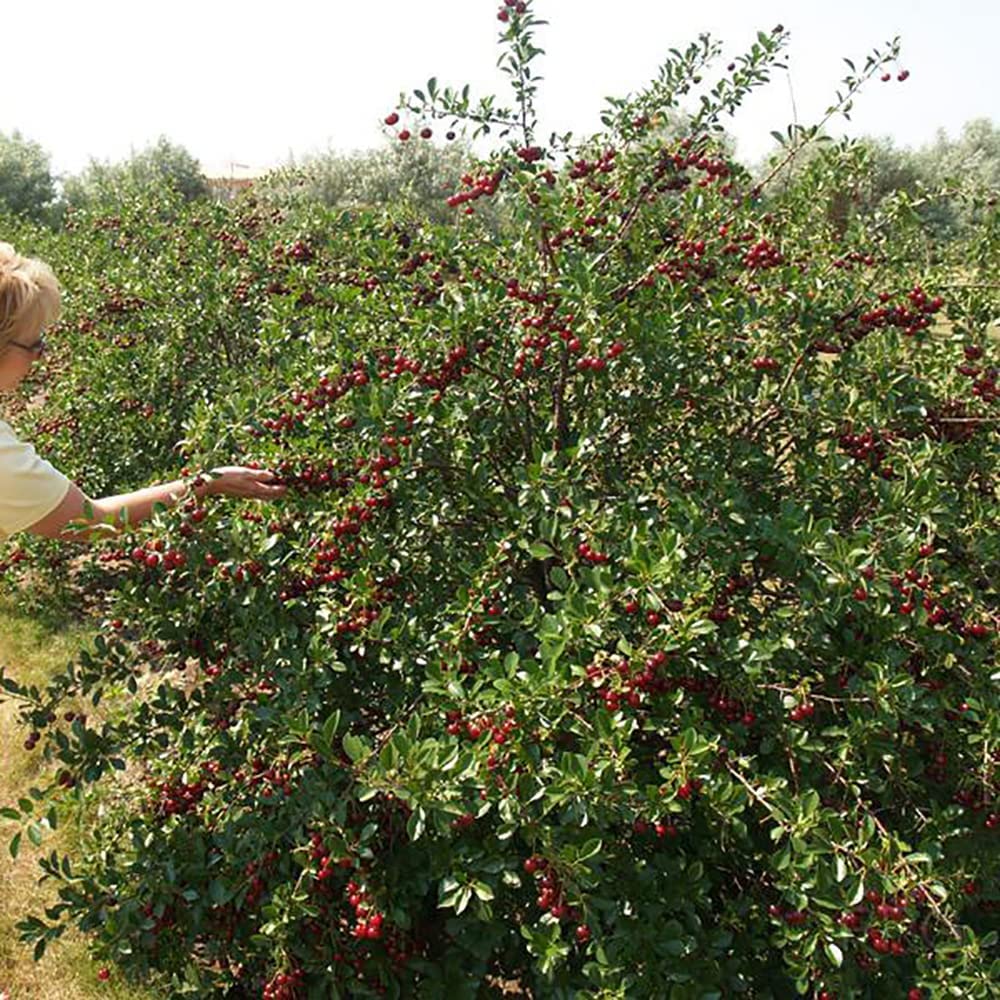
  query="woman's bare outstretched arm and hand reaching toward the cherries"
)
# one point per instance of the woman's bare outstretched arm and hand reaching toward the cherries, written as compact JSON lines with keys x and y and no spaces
{"x":131,"y":508}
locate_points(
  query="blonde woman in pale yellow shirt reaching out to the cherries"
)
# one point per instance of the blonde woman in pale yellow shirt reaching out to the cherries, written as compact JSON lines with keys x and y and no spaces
{"x":36,"y":497}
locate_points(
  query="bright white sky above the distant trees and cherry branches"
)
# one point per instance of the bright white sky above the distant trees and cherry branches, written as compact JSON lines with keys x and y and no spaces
{"x":247,"y":82}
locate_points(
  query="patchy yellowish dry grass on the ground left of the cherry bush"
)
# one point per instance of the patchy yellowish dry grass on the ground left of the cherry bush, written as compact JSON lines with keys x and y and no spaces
{"x":32,"y":650}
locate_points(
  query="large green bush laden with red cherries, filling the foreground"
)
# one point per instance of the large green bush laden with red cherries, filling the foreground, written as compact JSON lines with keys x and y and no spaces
{"x":629,"y":627}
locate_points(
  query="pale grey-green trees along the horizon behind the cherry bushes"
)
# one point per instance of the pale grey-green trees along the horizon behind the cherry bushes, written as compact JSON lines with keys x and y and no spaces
{"x":945,"y":179}
